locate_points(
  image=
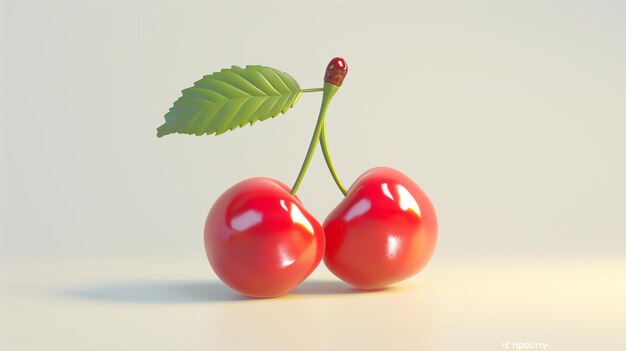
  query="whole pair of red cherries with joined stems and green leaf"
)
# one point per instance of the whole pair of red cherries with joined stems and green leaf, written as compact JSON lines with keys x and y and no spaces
{"x":259,"y":238}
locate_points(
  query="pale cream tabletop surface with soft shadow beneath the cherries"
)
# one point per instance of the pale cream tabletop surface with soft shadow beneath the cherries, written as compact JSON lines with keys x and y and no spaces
{"x":161,"y":303}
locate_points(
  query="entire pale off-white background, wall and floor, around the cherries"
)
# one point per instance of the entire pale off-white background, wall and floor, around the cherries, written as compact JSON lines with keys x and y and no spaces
{"x":511,"y":115}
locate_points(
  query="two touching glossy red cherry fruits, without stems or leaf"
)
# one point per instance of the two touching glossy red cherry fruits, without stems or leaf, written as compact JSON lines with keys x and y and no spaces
{"x":262,"y":242}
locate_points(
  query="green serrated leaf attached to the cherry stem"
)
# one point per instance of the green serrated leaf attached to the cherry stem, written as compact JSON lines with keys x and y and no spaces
{"x":229,"y":99}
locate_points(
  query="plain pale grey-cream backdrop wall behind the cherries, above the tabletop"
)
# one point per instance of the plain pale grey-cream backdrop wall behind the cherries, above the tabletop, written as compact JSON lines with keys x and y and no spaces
{"x":511,"y":115}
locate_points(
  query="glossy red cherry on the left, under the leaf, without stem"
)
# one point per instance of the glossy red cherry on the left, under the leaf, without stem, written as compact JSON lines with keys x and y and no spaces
{"x":260,"y":240}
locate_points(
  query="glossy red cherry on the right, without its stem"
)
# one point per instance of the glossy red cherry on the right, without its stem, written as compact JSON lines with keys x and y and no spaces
{"x":384,"y":230}
